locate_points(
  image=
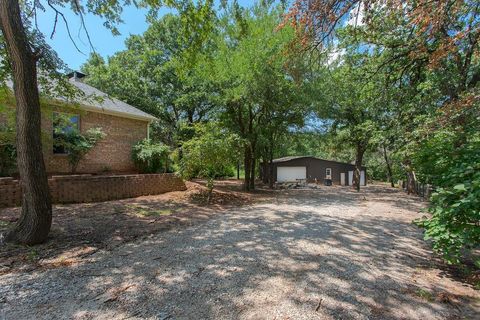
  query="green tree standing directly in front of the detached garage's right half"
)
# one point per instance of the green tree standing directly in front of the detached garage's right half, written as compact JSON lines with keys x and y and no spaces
{"x":351,"y":105}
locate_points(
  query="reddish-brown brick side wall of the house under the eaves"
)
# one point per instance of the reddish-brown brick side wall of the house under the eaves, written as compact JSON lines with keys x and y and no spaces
{"x":112,"y":153}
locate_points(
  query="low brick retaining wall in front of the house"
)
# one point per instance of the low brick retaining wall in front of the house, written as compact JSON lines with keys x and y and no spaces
{"x":87,"y":188}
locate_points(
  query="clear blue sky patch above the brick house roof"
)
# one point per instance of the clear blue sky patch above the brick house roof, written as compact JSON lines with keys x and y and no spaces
{"x":103,"y":41}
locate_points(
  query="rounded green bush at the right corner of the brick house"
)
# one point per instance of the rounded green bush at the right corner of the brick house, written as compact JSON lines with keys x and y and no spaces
{"x":151,"y":157}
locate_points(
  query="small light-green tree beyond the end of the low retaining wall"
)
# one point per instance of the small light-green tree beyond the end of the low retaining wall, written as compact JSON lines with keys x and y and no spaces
{"x":210,"y":151}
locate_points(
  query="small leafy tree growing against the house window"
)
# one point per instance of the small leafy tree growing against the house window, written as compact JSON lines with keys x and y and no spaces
{"x":76,"y":144}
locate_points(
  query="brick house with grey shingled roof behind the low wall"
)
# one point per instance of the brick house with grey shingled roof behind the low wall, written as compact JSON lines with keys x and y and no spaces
{"x":123,"y":125}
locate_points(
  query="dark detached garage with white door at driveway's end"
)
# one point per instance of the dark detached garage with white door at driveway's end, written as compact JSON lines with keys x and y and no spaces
{"x":290,"y":169}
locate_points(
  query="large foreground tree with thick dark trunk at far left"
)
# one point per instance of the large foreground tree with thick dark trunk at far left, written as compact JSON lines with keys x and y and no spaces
{"x":22,"y":54}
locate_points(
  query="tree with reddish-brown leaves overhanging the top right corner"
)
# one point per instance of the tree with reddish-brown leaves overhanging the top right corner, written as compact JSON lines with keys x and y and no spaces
{"x":428,"y":51}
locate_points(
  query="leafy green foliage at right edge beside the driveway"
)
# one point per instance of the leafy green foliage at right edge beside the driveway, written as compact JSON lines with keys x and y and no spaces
{"x":451,"y":161}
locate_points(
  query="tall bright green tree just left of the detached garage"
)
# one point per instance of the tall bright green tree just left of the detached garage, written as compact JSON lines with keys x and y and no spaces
{"x":255,"y":85}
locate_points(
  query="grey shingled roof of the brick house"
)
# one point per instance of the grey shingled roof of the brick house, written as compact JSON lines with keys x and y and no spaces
{"x":100,"y":102}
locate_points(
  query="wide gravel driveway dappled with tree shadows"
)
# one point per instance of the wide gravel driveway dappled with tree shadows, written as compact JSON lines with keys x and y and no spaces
{"x":304,"y":254}
